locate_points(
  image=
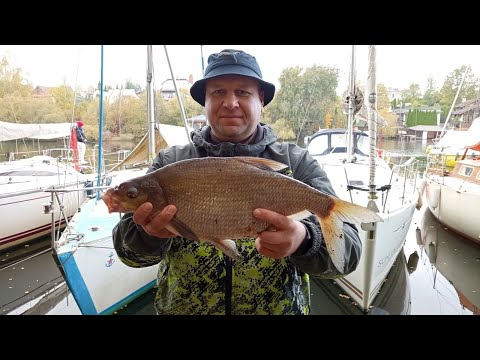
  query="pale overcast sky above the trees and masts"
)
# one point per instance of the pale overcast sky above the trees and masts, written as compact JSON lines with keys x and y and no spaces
{"x":79,"y":65}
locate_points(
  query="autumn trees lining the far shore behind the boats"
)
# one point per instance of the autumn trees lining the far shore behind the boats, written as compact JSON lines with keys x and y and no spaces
{"x":305,"y":101}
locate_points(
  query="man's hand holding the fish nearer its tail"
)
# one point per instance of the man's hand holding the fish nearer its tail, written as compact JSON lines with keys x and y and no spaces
{"x":285,"y":237}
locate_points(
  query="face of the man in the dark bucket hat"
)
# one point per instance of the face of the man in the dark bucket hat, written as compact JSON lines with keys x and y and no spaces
{"x":234,"y":105}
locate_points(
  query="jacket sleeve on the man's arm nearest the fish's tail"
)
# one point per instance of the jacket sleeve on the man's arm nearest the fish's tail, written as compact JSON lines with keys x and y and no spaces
{"x":312,"y":256}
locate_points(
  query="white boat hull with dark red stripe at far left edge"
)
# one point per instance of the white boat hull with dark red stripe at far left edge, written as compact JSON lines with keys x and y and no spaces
{"x":22,"y":199}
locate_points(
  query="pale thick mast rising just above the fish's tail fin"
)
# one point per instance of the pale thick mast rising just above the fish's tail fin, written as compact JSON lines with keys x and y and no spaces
{"x":372,"y":120}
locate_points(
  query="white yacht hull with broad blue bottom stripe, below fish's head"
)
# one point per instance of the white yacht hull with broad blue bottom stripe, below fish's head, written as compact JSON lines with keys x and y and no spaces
{"x":98,"y":280}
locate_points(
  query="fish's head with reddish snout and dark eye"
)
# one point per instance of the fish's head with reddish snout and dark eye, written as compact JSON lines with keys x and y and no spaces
{"x":129,"y":195}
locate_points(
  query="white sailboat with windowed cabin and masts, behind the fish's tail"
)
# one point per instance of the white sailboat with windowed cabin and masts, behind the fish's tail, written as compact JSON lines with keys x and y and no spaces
{"x":362,"y":175}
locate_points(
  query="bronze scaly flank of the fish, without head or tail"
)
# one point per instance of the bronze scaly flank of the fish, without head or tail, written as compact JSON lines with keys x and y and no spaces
{"x":227,"y":214}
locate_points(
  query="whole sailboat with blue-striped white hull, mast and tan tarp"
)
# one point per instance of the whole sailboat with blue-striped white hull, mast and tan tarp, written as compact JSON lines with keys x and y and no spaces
{"x":99,"y":282}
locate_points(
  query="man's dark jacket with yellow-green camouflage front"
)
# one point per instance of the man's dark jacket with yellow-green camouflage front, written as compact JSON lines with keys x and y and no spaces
{"x":196,"y":278}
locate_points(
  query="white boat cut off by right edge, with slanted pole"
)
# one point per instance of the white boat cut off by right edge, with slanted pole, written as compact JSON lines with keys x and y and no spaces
{"x":452,"y":176}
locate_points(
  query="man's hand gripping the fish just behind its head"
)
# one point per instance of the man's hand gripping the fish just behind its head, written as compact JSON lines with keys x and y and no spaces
{"x":155,"y":224}
